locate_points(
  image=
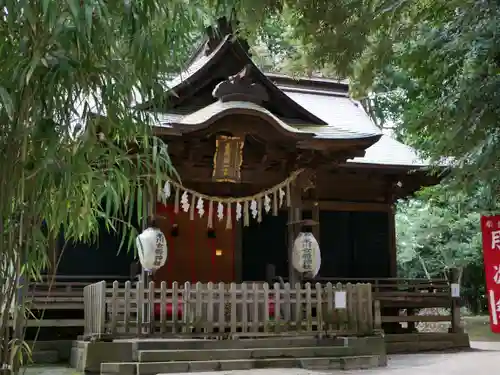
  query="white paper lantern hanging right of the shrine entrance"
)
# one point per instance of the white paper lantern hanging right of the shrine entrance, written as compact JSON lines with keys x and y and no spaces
{"x":306,"y":256}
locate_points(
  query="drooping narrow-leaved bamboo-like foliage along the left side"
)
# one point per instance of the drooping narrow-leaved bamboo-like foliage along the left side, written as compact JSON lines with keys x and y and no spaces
{"x":69,"y":65}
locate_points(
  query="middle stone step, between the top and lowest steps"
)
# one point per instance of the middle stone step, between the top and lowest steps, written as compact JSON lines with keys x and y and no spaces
{"x":253,"y":353}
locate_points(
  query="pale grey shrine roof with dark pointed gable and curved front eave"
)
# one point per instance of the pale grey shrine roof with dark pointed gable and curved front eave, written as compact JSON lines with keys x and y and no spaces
{"x":318,"y":109}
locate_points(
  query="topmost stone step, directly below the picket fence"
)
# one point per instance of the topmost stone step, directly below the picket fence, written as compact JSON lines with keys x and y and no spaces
{"x":197,"y":344}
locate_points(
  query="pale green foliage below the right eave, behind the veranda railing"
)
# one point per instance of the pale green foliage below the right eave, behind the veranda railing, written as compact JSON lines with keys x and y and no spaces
{"x":439,"y":230}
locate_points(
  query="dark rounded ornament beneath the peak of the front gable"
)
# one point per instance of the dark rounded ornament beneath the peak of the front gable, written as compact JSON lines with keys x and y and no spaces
{"x":240,"y":87}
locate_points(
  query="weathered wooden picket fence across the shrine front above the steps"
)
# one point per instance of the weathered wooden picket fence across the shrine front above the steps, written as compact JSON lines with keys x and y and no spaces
{"x":245,"y":309}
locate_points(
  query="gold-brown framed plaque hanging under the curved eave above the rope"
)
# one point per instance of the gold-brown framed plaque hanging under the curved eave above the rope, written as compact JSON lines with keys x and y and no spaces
{"x":228,"y":159}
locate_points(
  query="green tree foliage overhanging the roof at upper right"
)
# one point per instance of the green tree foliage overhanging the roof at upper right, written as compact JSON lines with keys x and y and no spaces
{"x":430,"y":66}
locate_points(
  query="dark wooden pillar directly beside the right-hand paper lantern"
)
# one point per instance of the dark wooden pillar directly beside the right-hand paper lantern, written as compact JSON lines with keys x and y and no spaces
{"x":294,"y":215}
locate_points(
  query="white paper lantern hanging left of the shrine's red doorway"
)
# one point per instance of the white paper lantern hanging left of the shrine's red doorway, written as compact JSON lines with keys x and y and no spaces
{"x":152,"y":249}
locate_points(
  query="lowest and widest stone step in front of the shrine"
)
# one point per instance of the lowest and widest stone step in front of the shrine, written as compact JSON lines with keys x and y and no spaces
{"x":324,"y":363}
